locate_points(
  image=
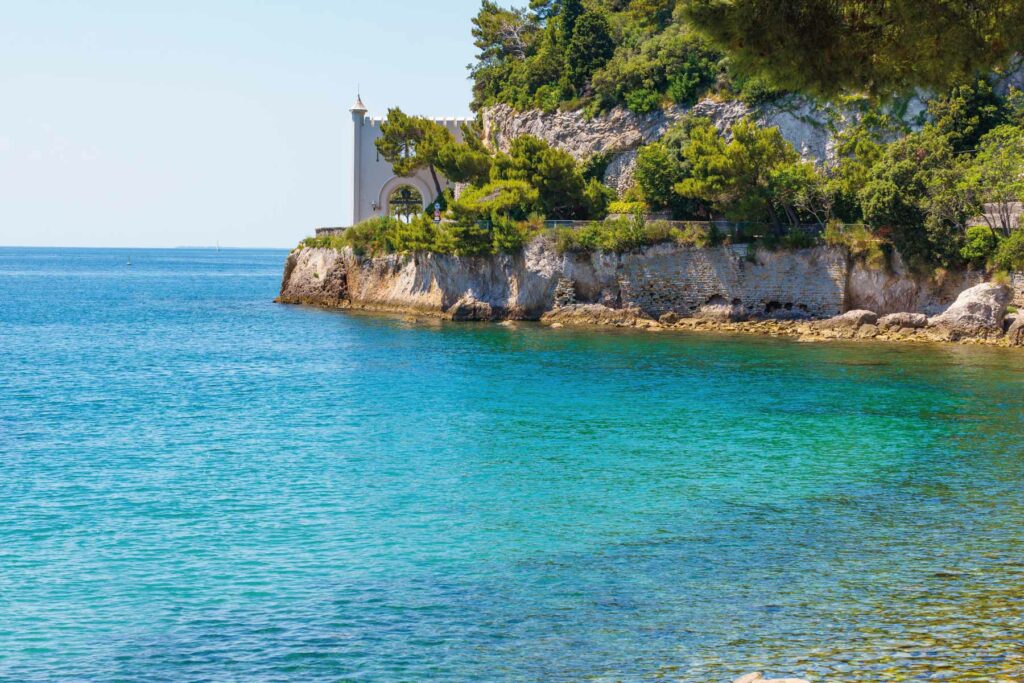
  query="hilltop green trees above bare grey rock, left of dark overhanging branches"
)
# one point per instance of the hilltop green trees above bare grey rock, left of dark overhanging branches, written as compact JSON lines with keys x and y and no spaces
{"x":571,"y":54}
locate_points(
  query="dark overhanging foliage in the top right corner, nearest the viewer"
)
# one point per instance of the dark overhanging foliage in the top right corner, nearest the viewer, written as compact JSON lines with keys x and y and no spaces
{"x":826,"y":48}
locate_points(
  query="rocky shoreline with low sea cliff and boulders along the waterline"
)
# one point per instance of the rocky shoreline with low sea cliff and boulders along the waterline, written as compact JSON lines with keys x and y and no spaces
{"x":808,"y":295}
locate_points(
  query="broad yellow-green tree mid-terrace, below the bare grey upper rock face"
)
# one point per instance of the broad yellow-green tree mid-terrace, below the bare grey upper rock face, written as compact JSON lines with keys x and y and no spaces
{"x":738,"y":178}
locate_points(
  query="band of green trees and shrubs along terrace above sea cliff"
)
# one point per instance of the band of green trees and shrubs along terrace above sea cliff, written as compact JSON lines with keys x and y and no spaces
{"x":918,"y":191}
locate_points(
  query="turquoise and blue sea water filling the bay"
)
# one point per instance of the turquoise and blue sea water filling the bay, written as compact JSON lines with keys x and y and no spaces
{"x":199,"y":485}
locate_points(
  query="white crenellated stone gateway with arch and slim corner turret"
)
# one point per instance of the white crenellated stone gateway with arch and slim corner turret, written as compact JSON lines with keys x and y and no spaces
{"x":373,"y":181}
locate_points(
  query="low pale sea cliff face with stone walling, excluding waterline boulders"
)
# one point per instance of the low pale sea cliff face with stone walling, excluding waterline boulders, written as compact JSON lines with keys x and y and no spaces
{"x":727,"y":282}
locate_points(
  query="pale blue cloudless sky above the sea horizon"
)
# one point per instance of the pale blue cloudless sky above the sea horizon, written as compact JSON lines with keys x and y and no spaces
{"x":168,"y":124}
